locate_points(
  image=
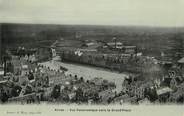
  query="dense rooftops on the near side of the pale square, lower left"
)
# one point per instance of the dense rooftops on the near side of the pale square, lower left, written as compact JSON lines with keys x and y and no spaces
{"x":28,"y":82}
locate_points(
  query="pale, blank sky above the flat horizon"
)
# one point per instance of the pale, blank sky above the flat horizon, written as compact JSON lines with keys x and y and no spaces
{"x":164,"y":13}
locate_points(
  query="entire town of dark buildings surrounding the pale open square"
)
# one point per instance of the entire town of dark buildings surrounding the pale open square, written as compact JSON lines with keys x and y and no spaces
{"x":24,"y":80}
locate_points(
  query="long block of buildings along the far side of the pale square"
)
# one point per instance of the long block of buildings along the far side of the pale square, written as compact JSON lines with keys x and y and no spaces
{"x":112,"y":55}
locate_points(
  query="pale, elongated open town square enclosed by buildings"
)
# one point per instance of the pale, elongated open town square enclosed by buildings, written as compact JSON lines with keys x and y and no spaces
{"x":89,"y":72}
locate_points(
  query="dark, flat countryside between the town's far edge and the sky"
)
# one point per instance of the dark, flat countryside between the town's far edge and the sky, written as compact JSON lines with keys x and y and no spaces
{"x":150,"y":41}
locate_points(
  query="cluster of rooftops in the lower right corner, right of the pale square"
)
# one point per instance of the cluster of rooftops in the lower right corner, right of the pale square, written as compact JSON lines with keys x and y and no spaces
{"x":166,"y":89}
